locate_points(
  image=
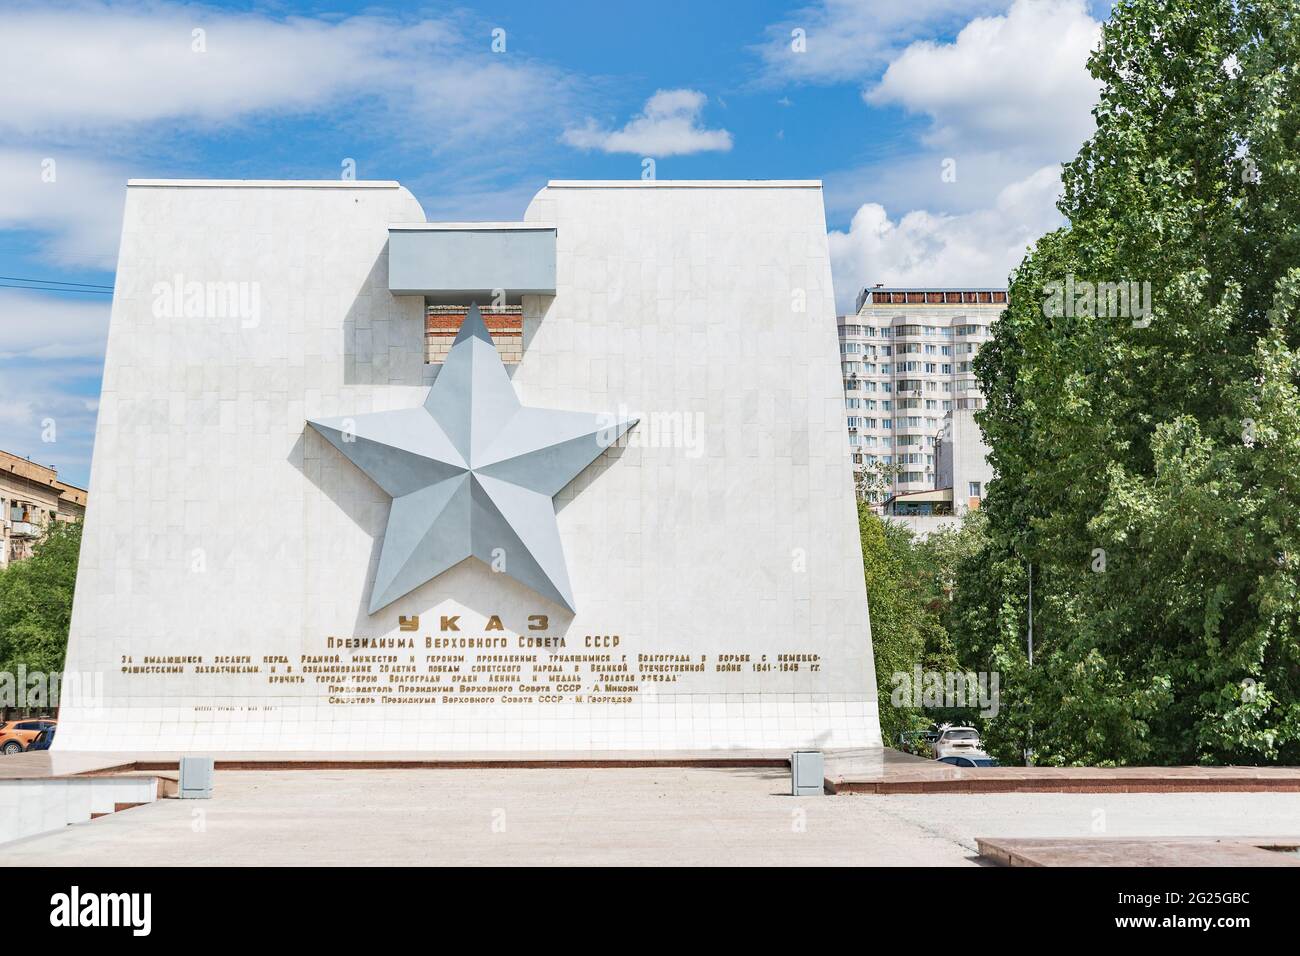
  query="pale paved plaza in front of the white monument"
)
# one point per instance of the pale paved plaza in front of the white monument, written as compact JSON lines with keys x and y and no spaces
{"x":609,"y":816}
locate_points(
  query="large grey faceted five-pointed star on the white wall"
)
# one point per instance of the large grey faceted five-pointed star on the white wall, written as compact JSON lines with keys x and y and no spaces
{"x":473,"y":474}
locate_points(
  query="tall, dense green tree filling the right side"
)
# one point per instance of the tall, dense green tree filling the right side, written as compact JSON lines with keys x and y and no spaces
{"x":1150,"y":464}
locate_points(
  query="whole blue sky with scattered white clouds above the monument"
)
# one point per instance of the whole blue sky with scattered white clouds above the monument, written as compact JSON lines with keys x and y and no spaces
{"x":879,"y":101}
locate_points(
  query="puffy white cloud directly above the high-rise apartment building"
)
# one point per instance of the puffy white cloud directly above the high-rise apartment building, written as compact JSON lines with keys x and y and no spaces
{"x":978,"y":248}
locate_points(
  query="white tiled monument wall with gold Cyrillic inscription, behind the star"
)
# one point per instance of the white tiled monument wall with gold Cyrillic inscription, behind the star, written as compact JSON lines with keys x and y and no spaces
{"x":229,"y":551}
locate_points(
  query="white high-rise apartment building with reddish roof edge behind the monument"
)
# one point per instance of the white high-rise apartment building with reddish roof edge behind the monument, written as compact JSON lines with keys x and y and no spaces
{"x":907,"y":361}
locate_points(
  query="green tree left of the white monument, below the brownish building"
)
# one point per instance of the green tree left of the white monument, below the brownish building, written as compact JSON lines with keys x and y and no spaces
{"x":37,"y":602}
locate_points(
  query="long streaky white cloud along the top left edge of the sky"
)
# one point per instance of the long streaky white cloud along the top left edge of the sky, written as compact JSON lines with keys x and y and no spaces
{"x":94,"y":67}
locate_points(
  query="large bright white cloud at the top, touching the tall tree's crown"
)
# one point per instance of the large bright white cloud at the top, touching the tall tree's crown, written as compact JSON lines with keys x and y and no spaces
{"x":1019,"y":81}
